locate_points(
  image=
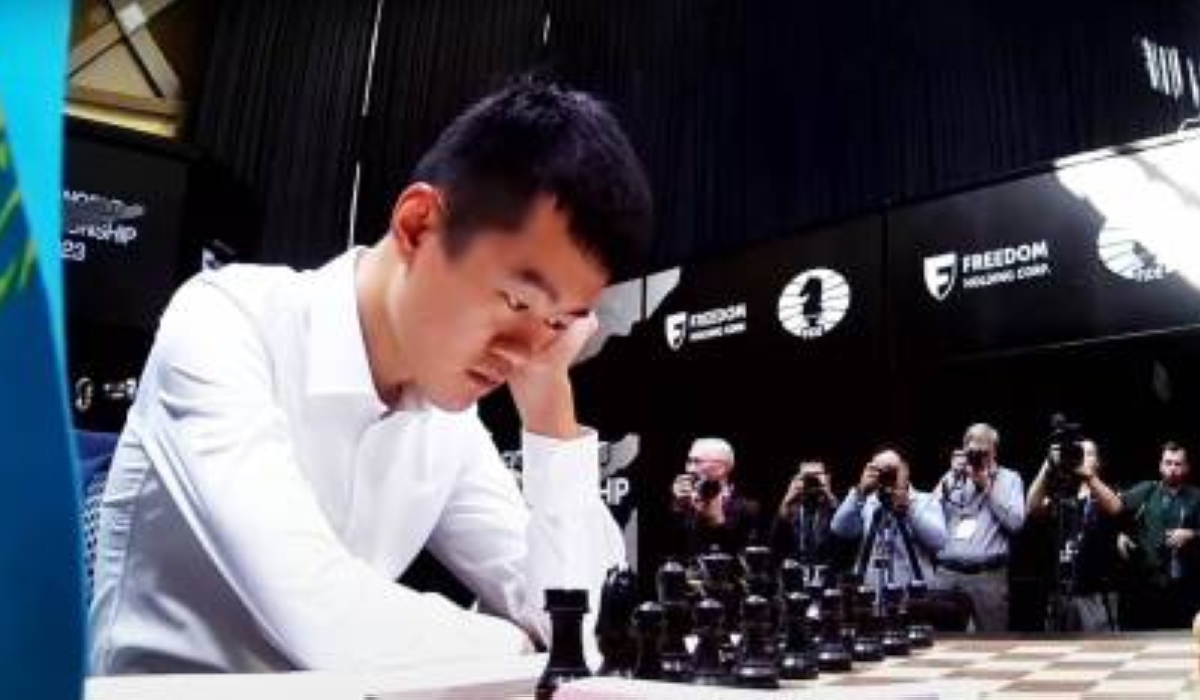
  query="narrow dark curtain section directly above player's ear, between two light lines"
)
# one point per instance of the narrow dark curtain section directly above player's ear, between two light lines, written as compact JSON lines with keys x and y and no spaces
{"x":434,"y":59}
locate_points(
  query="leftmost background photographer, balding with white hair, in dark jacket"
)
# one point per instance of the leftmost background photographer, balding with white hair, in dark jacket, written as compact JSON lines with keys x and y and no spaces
{"x":709,"y":511}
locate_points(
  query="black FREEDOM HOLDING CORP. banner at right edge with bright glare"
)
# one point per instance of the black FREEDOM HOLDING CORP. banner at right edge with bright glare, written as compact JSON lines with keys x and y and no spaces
{"x":1100,"y":248}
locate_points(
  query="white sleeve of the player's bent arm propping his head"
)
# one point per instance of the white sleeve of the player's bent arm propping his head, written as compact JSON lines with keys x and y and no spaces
{"x":511,"y":553}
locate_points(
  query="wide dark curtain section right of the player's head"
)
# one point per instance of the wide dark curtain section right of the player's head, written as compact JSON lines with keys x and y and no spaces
{"x":759,"y":119}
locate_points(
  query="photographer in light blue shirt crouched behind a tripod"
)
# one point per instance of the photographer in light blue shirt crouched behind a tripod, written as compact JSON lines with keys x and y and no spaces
{"x":885,"y":484}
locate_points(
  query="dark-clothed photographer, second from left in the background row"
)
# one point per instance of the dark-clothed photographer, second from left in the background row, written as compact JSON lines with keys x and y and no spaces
{"x":802,"y":523}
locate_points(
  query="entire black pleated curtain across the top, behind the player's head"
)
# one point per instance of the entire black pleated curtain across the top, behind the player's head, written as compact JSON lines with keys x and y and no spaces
{"x":755,"y":119}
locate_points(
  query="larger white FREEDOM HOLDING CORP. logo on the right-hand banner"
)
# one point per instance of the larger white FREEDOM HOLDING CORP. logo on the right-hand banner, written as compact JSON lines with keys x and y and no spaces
{"x":980,"y":271}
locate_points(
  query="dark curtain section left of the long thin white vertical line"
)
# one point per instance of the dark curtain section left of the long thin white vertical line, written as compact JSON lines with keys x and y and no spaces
{"x":280,"y":115}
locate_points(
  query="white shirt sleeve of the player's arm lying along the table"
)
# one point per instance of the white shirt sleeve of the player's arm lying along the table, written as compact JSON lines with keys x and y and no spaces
{"x":224,"y":450}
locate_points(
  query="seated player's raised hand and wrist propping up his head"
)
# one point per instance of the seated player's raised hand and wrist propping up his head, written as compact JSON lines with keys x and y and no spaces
{"x":542,"y":388}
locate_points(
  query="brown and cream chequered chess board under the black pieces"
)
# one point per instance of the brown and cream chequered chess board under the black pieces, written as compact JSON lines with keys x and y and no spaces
{"x":1137,"y":667}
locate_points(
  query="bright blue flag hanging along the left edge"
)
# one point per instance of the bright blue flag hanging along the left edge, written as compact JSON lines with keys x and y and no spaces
{"x":41,"y":584}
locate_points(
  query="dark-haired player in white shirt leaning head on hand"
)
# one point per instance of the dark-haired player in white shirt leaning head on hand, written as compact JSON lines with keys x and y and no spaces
{"x":298,"y":438}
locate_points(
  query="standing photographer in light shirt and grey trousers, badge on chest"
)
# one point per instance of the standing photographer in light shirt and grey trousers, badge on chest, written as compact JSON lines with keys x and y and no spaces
{"x":985,"y":507}
